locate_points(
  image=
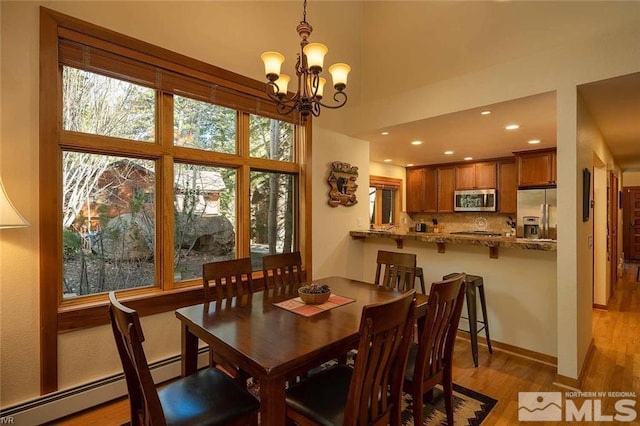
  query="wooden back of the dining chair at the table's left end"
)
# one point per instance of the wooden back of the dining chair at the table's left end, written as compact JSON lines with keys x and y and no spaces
{"x":144,"y":402}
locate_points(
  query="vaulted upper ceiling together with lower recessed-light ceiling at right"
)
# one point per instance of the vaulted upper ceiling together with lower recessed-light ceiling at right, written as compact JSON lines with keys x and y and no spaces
{"x":488,"y":33}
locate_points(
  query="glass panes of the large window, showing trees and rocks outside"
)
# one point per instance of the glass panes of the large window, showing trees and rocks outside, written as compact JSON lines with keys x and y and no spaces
{"x":108,"y":212}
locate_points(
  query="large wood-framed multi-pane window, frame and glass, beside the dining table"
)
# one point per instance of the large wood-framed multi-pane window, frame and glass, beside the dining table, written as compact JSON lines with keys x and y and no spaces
{"x":153,"y":163}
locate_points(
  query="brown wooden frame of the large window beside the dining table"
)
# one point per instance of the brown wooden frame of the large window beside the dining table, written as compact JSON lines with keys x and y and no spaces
{"x":65,"y":40}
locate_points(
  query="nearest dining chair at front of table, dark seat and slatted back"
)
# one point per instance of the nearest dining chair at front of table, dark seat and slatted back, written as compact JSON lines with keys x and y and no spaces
{"x":369,"y":393}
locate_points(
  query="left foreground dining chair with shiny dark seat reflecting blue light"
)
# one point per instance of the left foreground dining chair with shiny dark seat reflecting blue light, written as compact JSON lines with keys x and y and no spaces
{"x":208,"y":397}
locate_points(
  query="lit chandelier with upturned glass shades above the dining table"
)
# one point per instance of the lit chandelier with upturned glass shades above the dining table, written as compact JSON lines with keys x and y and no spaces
{"x":307,"y":99}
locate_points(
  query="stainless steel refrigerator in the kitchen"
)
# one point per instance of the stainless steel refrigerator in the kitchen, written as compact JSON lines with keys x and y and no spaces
{"x":540,"y":203}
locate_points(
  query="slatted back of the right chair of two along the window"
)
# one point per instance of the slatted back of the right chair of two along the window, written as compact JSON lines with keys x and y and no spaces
{"x":282,"y":272}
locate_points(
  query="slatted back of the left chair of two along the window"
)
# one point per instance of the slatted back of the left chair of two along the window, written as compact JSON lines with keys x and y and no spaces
{"x":227,"y":279}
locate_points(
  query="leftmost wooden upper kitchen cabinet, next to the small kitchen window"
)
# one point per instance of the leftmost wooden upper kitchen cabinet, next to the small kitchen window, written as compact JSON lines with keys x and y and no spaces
{"x":422,"y":190}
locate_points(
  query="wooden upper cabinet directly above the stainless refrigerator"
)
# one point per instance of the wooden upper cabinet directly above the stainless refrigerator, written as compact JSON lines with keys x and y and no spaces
{"x":536,"y":168}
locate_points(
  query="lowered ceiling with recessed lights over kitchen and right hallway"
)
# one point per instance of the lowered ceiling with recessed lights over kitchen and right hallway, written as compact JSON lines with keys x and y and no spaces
{"x":614,"y":104}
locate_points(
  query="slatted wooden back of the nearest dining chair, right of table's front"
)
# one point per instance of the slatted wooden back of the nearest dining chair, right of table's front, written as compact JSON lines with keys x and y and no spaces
{"x":375,"y":391}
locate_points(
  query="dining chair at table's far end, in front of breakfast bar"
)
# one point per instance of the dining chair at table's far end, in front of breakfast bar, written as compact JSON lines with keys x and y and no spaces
{"x":395,"y":270}
